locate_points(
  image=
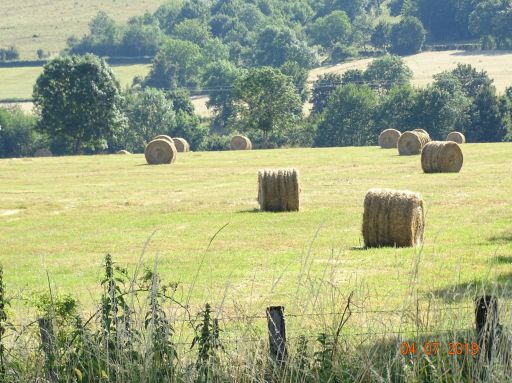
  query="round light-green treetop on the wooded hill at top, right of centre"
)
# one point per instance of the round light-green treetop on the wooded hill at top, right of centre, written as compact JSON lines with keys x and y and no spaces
{"x":331,"y":29}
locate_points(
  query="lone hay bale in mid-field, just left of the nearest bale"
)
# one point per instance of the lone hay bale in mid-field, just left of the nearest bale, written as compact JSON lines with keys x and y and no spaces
{"x":279,"y":190}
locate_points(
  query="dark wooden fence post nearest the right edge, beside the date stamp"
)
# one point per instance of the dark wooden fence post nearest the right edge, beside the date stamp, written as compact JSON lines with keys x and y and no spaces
{"x":487,"y":323}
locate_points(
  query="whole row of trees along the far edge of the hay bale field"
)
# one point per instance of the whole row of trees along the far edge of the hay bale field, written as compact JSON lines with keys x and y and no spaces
{"x":80,"y":108}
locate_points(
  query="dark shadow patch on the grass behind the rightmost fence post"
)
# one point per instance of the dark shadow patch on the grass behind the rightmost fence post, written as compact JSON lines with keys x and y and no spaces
{"x":500,"y":287}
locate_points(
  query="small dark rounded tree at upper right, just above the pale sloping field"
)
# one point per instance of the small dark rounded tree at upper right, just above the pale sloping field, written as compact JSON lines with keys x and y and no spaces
{"x":408,"y":36}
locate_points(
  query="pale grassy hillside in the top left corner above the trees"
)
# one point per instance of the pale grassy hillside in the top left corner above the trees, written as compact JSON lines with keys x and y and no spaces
{"x":34,"y":24}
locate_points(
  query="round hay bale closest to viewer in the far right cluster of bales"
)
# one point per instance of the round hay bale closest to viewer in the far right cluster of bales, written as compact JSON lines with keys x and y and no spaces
{"x":441,"y":157}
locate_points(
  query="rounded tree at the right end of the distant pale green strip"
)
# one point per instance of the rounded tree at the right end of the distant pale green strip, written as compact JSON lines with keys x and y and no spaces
{"x":176,"y":64}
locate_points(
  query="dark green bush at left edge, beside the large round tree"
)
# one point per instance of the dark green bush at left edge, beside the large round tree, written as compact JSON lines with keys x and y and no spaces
{"x":18,"y":134}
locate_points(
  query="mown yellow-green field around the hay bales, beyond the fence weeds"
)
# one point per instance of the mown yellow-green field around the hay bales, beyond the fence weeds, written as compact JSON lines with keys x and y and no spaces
{"x":62,"y":215}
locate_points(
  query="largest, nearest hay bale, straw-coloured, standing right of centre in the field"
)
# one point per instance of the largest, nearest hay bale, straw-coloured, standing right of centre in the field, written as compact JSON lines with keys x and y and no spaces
{"x":393,"y":218}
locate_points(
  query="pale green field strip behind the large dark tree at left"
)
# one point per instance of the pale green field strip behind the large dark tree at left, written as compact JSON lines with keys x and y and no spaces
{"x":19,"y":82}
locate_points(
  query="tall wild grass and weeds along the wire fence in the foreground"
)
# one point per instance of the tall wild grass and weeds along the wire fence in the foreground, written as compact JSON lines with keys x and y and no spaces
{"x":144,"y":330}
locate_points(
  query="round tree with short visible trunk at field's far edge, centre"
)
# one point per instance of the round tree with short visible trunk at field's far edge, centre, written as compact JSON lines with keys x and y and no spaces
{"x":267,"y":103}
